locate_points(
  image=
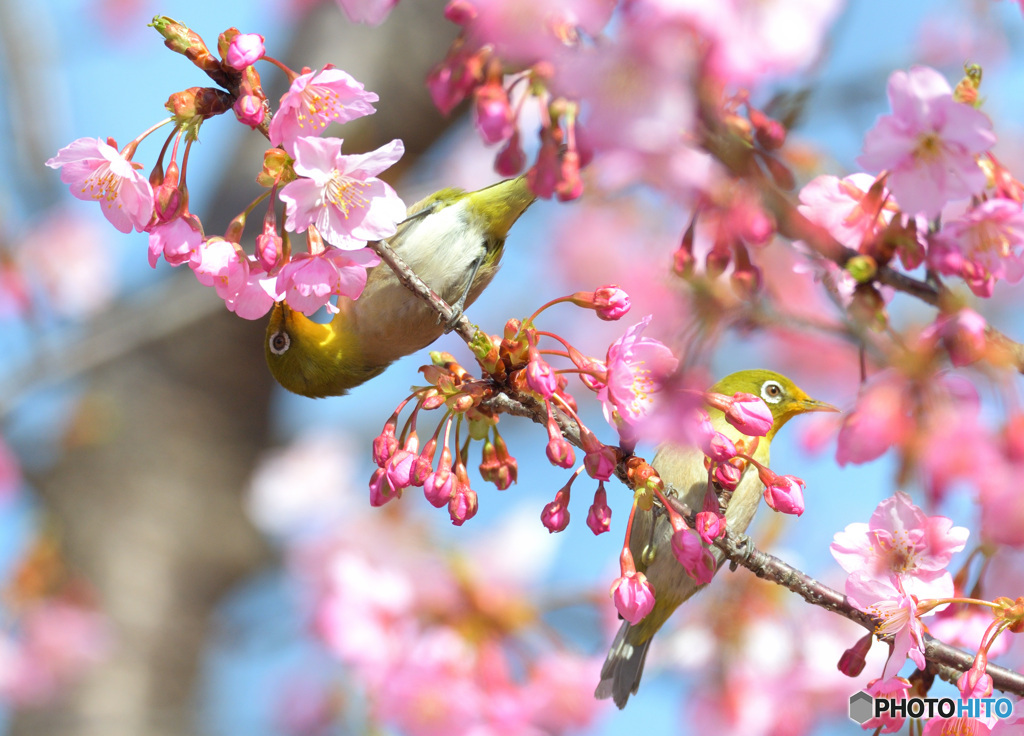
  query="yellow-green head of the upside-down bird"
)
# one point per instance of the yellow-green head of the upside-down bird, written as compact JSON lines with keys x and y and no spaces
{"x":315,"y":360}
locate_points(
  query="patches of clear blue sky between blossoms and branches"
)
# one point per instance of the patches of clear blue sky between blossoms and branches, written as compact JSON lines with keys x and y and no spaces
{"x":87,"y":74}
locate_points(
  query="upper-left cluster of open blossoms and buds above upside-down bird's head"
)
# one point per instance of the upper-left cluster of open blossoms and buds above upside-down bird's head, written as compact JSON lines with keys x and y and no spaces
{"x":336,"y":199}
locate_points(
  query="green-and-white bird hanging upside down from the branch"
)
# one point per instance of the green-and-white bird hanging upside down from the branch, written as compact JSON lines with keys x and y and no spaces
{"x":453,"y":240}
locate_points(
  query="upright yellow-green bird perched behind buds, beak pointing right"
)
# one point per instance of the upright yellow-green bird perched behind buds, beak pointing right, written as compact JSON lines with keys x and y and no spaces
{"x":686,"y":475}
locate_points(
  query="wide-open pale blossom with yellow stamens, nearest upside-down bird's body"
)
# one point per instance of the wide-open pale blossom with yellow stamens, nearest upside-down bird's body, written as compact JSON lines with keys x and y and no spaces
{"x":342,"y":195}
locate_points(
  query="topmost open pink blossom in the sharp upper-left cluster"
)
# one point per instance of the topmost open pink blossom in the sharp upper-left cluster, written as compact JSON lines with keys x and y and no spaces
{"x":315,"y":101}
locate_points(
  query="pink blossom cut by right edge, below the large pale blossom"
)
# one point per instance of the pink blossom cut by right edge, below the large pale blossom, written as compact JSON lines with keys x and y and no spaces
{"x":984,"y":246}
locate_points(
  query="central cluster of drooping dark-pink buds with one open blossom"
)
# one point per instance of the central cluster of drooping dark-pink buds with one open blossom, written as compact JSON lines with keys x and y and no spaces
{"x":624,"y":382}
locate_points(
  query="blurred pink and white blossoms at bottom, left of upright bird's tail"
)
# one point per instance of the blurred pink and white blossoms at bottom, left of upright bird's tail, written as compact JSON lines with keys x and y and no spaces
{"x":436,"y":640}
